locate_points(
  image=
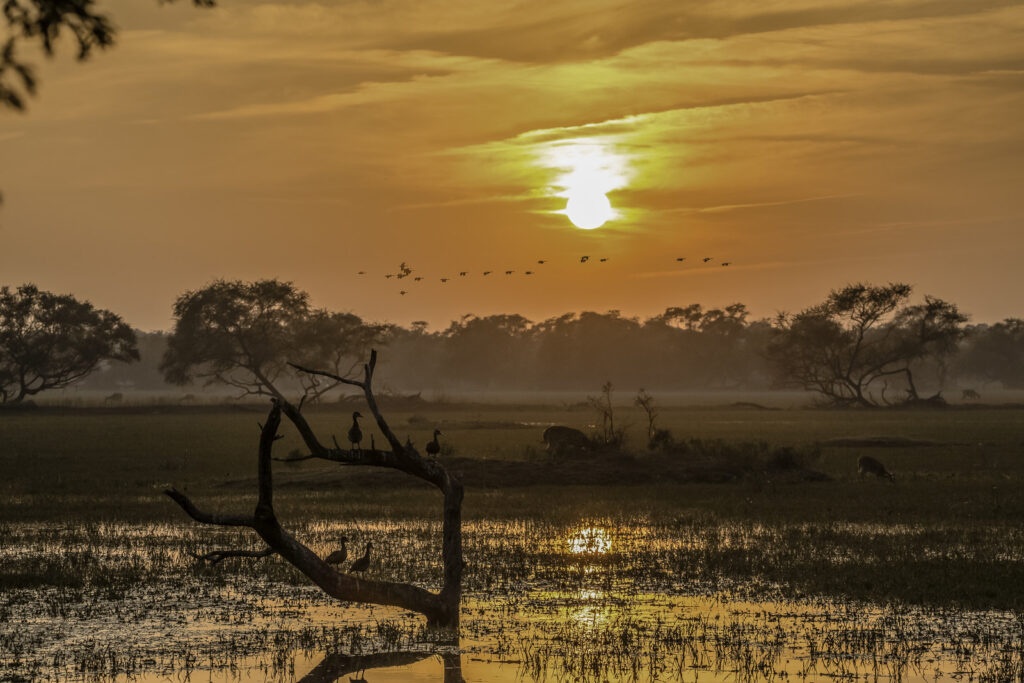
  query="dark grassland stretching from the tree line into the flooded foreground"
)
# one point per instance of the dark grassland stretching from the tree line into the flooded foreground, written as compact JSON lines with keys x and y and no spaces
{"x":936,"y":558}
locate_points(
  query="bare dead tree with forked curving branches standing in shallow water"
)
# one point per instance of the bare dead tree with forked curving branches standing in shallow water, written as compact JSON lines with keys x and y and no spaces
{"x":442,"y":610}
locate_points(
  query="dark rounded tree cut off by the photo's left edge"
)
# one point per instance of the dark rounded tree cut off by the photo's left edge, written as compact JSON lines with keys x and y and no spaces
{"x":50,"y":341}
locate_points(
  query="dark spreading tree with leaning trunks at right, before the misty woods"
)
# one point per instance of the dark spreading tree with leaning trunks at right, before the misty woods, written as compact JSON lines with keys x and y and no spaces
{"x":863,"y":337}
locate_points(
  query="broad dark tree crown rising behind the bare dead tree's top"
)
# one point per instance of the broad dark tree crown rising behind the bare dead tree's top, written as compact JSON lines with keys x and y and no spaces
{"x":244,"y":334}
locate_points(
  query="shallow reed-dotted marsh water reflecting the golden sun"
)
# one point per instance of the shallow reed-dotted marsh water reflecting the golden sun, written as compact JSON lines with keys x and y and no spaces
{"x":608,"y":601}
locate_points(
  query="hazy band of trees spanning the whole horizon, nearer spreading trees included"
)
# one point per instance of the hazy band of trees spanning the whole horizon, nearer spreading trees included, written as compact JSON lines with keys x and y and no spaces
{"x":865,"y":346}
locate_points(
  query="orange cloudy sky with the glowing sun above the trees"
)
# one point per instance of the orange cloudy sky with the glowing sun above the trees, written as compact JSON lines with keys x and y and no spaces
{"x":809,"y":144}
